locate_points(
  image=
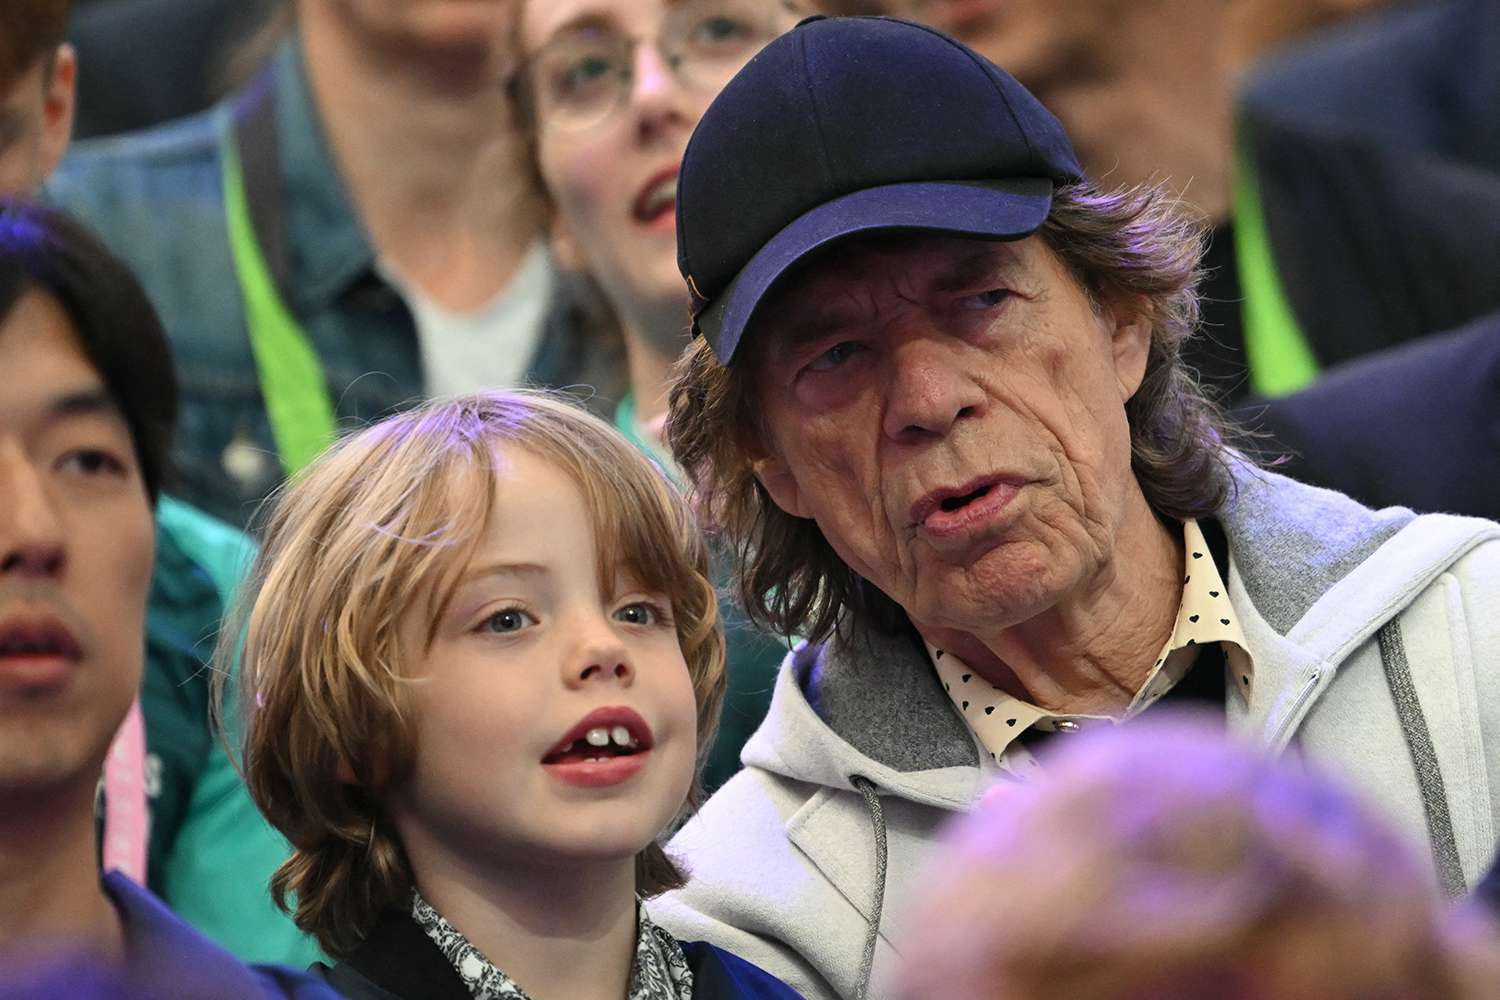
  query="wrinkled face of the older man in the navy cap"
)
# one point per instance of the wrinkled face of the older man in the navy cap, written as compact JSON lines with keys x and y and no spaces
{"x":952,"y":415}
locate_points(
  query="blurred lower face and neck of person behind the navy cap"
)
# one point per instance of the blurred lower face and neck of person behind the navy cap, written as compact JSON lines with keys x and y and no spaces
{"x":1142,"y":86}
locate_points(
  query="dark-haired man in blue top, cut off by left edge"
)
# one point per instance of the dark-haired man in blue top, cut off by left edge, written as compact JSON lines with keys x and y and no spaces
{"x":86,"y":418}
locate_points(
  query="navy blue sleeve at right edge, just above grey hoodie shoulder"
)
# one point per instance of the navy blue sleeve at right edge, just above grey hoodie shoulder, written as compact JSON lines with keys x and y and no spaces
{"x":1417,"y":427}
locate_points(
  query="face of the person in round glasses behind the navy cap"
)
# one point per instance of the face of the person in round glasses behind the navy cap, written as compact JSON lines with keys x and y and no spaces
{"x":614,"y":182}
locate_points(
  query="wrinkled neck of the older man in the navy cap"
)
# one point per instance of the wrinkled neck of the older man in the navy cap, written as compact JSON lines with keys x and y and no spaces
{"x":1090,"y":653}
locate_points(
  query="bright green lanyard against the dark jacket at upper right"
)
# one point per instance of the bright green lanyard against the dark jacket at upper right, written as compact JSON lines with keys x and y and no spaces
{"x":1276,"y":349}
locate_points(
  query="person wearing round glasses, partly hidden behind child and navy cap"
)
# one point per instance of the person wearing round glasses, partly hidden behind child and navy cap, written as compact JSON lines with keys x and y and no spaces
{"x":610,"y":91}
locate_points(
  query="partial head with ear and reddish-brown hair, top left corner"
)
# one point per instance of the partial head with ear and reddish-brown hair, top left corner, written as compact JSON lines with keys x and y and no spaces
{"x":37,"y":91}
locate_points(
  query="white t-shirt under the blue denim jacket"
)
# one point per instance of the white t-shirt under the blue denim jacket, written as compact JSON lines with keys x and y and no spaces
{"x":484,"y":349}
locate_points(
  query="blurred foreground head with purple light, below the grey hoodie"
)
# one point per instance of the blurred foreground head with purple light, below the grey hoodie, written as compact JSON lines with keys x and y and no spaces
{"x":1163,"y":861}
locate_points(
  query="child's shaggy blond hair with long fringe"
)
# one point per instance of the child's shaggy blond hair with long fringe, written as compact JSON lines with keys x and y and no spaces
{"x":385,"y":519}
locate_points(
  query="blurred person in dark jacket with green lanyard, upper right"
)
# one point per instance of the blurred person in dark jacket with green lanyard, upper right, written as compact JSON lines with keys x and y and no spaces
{"x":1325,"y":247}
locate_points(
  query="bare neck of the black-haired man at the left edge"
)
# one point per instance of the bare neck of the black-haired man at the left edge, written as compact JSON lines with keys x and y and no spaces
{"x":50,"y":891}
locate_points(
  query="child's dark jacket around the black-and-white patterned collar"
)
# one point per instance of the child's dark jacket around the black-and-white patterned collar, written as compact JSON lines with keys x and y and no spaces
{"x":398,"y":962}
